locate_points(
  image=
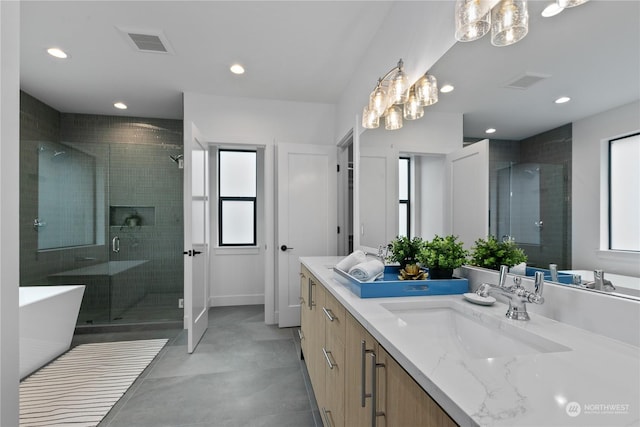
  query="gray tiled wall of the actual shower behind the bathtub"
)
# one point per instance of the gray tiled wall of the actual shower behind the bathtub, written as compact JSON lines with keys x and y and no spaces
{"x":141,"y":176}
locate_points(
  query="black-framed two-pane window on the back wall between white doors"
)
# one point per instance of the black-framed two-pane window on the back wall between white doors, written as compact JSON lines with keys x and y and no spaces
{"x":237,"y":197}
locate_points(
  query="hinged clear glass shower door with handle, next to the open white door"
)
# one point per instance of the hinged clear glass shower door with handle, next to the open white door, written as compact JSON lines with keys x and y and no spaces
{"x":145,"y":233}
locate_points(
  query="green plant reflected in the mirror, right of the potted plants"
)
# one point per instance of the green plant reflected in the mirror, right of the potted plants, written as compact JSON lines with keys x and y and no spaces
{"x":491,"y":253}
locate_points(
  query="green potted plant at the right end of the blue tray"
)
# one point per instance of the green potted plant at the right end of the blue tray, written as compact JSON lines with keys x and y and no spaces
{"x":442,"y":255}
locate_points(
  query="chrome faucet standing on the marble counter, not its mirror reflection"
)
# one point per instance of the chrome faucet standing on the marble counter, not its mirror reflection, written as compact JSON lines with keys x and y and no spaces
{"x":518,"y":296}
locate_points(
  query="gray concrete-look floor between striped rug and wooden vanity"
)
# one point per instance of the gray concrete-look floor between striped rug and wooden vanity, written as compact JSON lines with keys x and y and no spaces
{"x":243,"y":373}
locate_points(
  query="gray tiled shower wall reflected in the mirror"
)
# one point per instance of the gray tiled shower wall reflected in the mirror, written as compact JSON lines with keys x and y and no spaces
{"x":551,"y":148}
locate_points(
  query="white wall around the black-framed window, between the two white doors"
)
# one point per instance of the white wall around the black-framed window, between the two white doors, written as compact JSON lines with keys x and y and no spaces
{"x":259,"y":122}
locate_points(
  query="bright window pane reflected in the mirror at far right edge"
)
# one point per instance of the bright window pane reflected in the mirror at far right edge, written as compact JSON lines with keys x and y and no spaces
{"x":624,"y":193}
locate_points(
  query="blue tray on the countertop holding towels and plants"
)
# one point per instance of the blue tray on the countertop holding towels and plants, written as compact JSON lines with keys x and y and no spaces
{"x":390,"y":286}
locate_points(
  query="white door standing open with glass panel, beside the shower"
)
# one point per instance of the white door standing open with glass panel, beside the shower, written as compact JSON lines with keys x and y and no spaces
{"x":196,"y":248}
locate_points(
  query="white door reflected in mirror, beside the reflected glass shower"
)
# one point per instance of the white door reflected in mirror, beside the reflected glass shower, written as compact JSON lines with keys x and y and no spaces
{"x":468,"y":191}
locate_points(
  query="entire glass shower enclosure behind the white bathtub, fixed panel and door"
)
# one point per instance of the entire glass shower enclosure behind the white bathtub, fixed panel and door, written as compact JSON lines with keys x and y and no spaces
{"x":109,"y":216}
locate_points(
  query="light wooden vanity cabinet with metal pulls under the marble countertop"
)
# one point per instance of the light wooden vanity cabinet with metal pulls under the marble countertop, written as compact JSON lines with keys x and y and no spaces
{"x":342,"y":358}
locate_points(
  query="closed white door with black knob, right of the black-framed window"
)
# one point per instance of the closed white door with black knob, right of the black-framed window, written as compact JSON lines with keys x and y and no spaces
{"x":307,"y":217}
